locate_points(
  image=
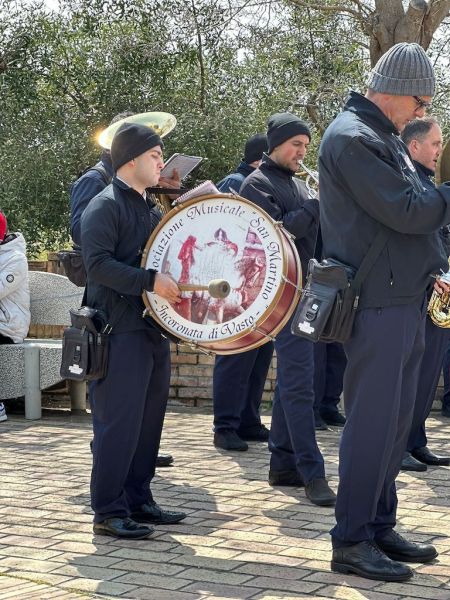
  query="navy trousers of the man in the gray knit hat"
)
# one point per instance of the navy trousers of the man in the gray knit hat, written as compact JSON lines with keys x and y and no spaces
{"x":380,"y":385}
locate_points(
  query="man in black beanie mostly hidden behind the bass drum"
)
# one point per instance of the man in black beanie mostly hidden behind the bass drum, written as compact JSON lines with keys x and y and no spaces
{"x":238,"y":379}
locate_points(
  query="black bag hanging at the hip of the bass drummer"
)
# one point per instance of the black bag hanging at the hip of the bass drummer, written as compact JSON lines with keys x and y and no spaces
{"x":85,"y":345}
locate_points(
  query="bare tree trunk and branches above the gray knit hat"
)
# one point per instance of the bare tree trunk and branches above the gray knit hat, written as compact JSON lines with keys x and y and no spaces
{"x":387,"y":22}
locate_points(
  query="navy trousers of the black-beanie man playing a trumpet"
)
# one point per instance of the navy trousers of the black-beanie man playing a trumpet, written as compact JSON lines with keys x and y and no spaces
{"x":292,"y":440}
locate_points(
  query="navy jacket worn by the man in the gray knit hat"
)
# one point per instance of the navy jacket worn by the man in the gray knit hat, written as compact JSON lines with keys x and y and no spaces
{"x":368,"y":182}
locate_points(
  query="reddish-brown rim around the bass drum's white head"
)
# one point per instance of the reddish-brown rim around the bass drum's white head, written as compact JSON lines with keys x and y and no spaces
{"x":283,"y":239}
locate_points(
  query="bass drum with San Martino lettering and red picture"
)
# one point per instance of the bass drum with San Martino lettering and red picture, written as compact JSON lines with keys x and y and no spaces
{"x":224,"y":237}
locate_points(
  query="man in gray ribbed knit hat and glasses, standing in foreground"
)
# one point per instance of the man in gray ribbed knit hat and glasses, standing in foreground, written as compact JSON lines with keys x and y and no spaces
{"x":370,"y":194}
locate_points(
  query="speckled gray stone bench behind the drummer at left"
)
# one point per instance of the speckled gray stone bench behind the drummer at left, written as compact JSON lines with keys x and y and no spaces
{"x":34,"y":365}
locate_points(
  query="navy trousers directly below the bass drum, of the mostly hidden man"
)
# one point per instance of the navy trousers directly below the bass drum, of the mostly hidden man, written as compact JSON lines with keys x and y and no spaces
{"x":238,"y":385}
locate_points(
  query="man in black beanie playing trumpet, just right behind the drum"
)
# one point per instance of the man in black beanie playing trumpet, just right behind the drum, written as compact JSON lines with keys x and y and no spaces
{"x":295,"y":457}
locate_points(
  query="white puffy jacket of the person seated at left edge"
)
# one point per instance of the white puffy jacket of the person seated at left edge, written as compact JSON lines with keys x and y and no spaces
{"x":14,"y":289}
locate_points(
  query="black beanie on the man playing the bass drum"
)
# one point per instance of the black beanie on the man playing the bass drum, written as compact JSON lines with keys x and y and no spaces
{"x":132,"y":140}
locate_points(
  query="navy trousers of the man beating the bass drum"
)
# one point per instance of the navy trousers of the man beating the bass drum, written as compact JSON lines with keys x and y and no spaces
{"x":128,"y":414}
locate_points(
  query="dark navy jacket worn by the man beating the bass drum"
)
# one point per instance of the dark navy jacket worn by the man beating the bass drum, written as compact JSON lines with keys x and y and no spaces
{"x":115,"y":228}
